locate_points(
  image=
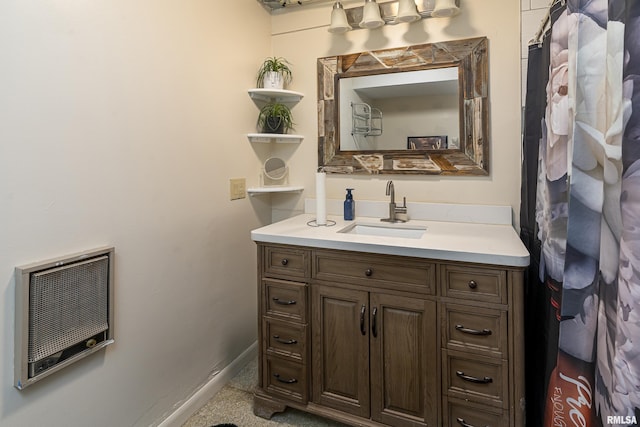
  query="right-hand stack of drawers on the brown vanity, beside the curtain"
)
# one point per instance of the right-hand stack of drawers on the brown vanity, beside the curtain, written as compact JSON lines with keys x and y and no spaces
{"x":482,"y":345}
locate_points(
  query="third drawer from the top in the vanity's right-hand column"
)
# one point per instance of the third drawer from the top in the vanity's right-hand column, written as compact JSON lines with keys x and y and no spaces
{"x":476,"y":378}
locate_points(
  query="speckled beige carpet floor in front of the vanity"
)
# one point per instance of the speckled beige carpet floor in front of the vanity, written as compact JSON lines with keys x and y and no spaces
{"x":234,"y":404}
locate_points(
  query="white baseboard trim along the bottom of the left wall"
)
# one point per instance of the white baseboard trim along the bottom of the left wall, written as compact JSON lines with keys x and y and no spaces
{"x":209,"y":389}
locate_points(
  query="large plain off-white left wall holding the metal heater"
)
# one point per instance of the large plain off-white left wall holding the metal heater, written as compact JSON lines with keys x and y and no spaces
{"x":121,"y":123}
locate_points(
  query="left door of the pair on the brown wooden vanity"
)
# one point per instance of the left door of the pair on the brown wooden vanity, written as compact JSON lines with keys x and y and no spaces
{"x":340,"y":346}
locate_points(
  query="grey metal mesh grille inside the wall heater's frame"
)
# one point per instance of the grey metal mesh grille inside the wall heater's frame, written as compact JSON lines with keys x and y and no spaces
{"x":67,"y":305}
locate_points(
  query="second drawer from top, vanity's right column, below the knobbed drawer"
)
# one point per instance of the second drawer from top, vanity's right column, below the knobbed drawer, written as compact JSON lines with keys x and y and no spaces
{"x":475,"y":329}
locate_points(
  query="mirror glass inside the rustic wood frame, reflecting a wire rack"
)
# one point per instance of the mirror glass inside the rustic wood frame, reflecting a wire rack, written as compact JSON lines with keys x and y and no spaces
{"x":412,"y":110}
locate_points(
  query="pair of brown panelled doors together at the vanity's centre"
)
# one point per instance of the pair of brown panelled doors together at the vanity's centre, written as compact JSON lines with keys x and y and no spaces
{"x":374,"y":355}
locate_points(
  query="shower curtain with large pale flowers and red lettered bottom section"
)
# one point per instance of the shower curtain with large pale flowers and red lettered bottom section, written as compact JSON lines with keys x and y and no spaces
{"x":588,"y":213}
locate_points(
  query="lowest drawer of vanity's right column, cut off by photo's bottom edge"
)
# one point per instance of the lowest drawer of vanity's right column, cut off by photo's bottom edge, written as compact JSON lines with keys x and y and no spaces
{"x":458,"y":413}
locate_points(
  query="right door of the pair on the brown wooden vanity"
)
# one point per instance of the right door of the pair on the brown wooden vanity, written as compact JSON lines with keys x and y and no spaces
{"x":404,"y":374}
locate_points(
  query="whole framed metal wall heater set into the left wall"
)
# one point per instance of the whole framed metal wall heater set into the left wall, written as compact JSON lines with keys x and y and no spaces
{"x":64,"y":312}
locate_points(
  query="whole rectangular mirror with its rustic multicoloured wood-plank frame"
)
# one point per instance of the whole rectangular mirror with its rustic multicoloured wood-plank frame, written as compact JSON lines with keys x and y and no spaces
{"x":421,"y":144}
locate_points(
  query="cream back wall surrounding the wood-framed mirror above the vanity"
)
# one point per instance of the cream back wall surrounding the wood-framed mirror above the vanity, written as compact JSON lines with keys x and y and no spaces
{"x":301,"y":36}
